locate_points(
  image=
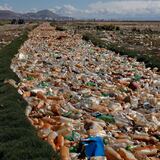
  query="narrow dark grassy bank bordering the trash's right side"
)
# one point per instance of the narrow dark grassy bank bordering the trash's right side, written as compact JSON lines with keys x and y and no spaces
{"x":150,"y":61}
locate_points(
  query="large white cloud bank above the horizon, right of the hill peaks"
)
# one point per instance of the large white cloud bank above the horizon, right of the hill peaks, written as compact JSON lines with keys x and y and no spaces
{"x":114,"y":9}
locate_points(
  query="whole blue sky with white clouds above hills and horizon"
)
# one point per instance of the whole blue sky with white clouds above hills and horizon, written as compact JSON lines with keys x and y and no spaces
{"x":101,"y":9}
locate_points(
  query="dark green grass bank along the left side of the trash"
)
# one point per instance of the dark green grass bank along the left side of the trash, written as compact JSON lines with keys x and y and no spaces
{"x":18,"y":138}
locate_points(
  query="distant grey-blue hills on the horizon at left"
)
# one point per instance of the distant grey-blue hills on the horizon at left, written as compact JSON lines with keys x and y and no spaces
{"x":40,"y":15}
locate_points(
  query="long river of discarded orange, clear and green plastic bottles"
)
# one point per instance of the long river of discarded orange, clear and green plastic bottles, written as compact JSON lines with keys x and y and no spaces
{"x":76,"y":91}
